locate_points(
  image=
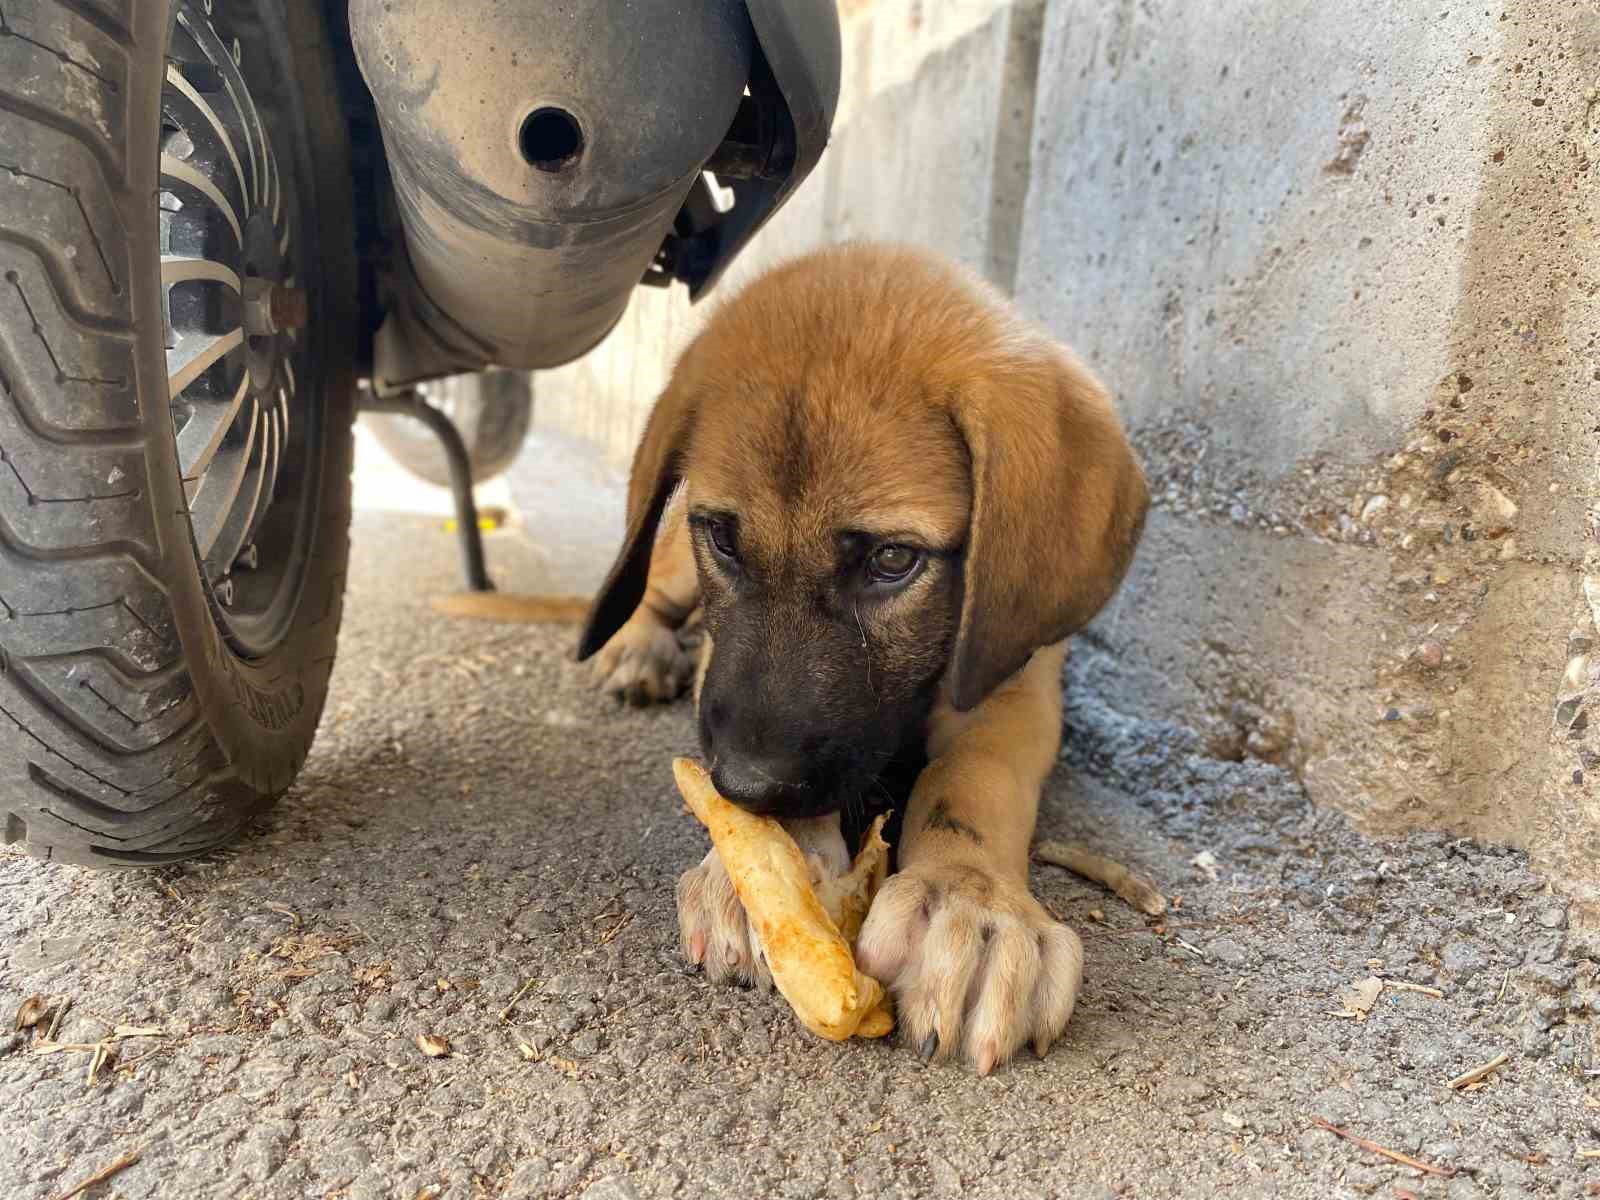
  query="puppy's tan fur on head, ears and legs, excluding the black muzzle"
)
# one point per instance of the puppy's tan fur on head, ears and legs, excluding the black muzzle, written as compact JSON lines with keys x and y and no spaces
{"x":881,"y":390}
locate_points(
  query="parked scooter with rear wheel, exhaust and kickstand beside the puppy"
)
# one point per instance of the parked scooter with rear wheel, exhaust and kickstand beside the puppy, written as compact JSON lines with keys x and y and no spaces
{"x":230,"y":225}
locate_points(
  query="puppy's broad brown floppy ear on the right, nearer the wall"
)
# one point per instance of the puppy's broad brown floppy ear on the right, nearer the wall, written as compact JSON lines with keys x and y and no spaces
{"x":1058,"y":506}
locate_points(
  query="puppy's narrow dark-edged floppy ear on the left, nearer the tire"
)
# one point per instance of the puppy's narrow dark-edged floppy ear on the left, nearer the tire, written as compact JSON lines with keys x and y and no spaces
{"x":658,"y":468}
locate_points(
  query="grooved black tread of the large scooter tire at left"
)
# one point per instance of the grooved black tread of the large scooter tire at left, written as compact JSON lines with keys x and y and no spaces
{"x":113,"y":759}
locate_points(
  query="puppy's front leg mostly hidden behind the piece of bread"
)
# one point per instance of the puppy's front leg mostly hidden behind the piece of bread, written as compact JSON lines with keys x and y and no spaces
{"x":713,"y":926}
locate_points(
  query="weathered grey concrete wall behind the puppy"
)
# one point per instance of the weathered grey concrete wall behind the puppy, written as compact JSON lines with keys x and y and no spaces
{"x":1340,"y":263}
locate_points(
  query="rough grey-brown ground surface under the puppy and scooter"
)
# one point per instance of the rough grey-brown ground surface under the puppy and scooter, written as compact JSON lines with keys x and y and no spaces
{"x":484,"y":850}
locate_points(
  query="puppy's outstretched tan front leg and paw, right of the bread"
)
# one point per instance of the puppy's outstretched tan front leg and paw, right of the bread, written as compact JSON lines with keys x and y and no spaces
{"x":975,"y":962}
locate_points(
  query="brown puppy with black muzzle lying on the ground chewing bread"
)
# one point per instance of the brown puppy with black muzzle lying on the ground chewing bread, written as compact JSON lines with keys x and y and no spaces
{"x":895,"y":502}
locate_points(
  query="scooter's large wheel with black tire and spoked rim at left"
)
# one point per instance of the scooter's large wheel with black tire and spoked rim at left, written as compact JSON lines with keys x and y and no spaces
{"x":175,"y":441}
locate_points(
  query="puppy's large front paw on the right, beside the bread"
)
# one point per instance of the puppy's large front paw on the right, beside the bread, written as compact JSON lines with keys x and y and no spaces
{"x":975,"y":962}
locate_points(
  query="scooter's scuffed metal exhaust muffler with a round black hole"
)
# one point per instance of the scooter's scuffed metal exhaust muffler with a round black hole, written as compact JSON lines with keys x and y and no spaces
{"x":540,"y":156}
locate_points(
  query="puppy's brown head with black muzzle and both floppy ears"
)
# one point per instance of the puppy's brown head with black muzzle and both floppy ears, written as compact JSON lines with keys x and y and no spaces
{"x":897,"y":492}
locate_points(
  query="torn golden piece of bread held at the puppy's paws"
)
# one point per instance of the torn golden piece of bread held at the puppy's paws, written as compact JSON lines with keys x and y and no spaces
{"x":806,"y":950}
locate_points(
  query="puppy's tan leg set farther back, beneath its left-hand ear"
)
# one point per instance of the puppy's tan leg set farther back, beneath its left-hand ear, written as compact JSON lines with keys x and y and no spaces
{"x":646,"y":662}
